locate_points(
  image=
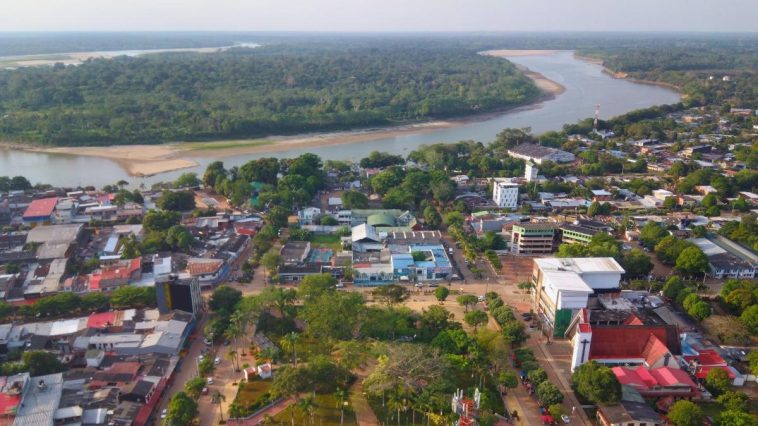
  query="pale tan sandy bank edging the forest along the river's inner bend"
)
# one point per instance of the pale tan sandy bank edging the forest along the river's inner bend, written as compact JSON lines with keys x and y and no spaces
{"x":147,"y":160}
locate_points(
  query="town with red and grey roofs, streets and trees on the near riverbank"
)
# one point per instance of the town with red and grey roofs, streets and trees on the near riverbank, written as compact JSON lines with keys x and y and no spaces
{"x":605,"y":274}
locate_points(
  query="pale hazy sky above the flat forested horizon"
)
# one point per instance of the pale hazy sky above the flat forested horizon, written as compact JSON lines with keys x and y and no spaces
{"x":379,"y":15}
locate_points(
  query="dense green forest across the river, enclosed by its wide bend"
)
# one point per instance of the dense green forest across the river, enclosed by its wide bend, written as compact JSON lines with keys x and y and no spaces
{"x":276,"y":89}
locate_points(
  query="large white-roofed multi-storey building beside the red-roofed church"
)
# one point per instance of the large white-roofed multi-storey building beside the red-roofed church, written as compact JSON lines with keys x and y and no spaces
{"x":563,"y":287}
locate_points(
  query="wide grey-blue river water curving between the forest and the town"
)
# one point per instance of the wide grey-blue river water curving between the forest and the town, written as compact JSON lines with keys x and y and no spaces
{"x":586,"y":86}
